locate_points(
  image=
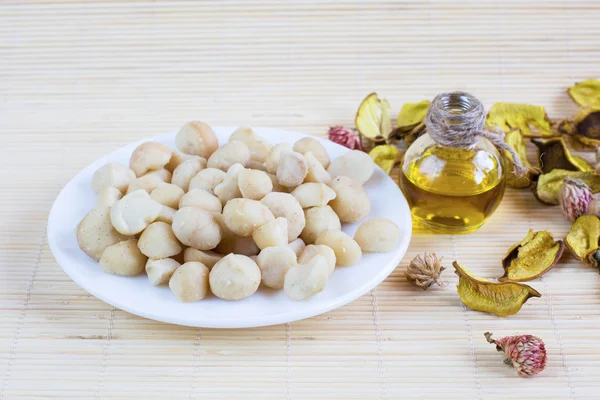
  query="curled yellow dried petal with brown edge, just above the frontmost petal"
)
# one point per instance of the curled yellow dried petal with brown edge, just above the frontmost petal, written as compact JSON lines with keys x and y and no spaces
{"x":532,"y":257}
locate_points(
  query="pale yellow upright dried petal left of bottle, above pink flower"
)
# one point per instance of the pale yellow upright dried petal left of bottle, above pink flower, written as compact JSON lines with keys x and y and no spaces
{"x":373,"y":118}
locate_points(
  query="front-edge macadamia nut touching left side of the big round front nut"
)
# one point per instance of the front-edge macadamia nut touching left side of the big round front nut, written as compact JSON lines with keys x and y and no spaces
{"x":189,"y":282}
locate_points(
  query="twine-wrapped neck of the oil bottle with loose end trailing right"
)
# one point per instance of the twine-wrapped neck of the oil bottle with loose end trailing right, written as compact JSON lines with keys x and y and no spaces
{"x":457,"y":119}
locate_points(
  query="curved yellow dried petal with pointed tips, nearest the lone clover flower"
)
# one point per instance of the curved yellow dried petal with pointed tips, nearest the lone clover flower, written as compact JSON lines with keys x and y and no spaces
{"x":502,"y":299}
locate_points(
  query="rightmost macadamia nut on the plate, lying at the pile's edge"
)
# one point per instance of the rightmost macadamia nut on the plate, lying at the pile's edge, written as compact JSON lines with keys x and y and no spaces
{"x":377,"y":235}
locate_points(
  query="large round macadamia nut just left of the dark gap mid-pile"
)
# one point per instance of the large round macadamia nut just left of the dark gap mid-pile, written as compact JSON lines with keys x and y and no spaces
{"x":197,"y":228}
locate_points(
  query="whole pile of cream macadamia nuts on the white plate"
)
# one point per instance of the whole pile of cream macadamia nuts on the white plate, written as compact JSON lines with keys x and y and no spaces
{"x":224,"y":219}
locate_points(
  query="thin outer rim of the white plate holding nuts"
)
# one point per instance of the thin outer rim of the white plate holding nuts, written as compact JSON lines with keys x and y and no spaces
{"x":268,"y":320}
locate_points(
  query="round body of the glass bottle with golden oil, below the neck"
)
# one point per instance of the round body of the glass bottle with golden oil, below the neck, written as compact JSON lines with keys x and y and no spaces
{"x":452,"y":190}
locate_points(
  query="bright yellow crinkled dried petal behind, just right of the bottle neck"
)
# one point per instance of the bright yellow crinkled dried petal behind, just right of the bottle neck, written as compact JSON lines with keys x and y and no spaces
{"x":523,"y":116}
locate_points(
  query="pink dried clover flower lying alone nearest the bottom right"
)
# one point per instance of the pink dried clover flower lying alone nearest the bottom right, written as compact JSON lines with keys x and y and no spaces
{"x":526,"y":353}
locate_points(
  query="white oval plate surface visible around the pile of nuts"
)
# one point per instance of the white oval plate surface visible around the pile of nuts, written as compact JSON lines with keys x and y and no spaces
{"x":266,"y":307}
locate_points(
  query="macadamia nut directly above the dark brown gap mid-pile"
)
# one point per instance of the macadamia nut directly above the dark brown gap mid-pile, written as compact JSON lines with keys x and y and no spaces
{"x":244,"y":216}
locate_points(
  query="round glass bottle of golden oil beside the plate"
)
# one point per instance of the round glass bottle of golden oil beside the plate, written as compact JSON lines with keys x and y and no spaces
{"x":452,"y":189}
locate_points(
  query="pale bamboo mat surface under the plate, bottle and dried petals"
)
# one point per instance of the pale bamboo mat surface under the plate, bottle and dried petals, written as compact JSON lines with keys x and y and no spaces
{"x":79,"y":79}
